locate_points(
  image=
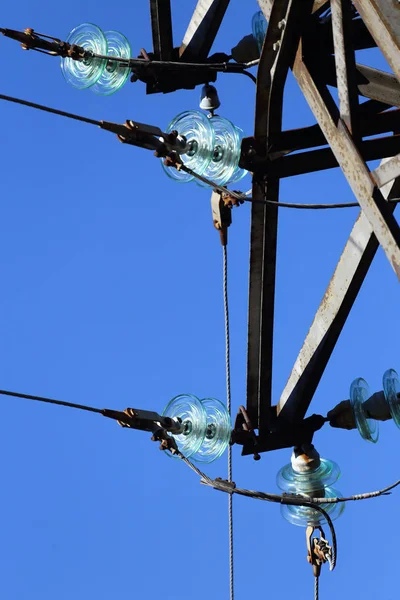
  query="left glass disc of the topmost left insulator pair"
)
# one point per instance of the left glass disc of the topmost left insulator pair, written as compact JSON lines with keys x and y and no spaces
{"x":84,"y":74}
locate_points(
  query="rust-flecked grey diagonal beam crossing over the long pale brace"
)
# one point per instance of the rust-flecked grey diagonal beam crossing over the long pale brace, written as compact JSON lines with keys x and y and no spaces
{"x":354,"y":168}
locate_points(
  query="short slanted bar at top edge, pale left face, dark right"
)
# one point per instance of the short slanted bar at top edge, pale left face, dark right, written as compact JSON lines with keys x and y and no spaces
{"x":203,"y":28}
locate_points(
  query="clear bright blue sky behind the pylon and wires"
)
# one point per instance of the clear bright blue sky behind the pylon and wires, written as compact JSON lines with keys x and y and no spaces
{"x":112,"y":296}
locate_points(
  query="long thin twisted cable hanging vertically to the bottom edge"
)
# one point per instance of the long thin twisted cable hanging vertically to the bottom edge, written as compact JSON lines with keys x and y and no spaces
{"x":229,"y":407}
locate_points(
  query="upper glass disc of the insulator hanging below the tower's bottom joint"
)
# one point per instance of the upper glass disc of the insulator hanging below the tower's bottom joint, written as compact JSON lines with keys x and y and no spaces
{"x":289,"y":480}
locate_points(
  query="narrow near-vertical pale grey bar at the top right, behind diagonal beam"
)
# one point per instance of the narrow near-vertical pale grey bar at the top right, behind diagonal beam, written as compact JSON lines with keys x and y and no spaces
{"x":345,"y":63}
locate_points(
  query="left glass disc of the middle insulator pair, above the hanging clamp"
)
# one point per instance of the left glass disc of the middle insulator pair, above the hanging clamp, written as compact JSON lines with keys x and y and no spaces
{"x":194,"y":126}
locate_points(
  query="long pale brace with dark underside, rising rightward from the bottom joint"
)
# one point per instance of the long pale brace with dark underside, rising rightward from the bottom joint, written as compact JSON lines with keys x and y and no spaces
{"x":331,"y":316}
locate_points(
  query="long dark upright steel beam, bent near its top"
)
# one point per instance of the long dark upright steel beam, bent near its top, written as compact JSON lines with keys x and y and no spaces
{"x":286,"y":20}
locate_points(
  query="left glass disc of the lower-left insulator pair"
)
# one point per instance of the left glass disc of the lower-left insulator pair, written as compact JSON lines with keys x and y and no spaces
{"x":190,"y":411}
